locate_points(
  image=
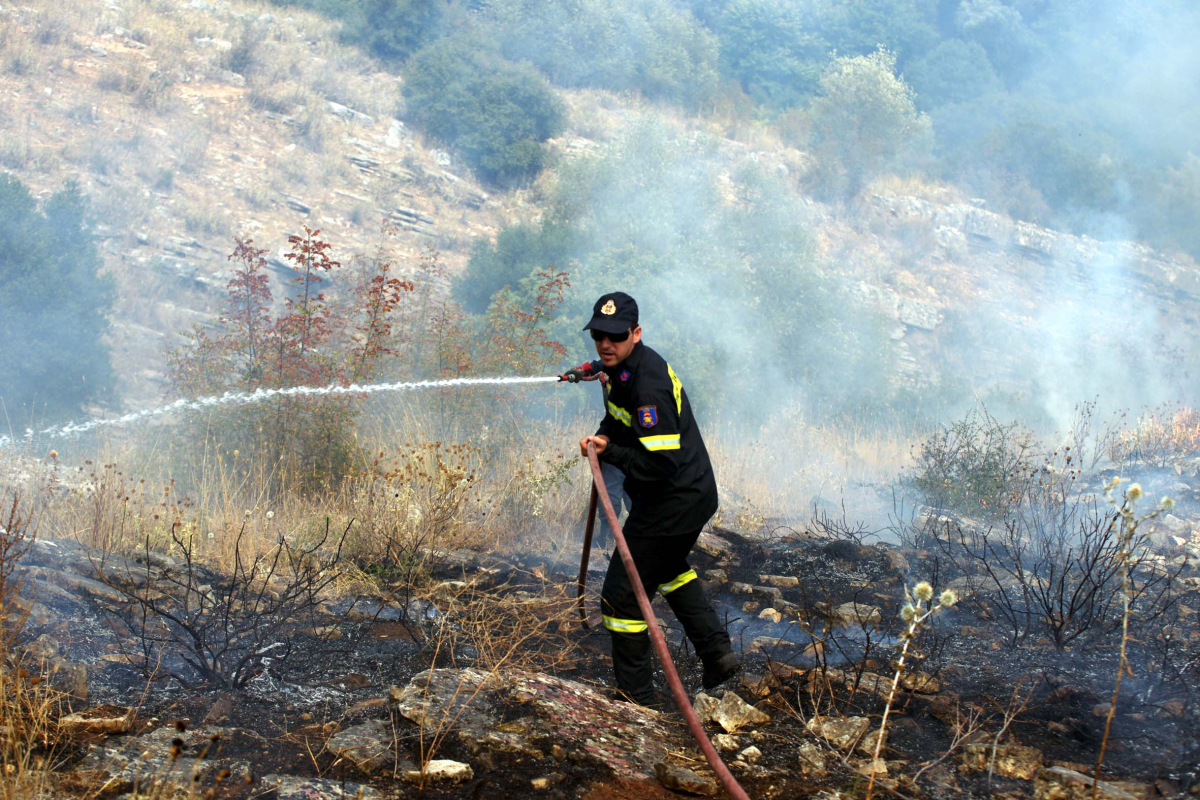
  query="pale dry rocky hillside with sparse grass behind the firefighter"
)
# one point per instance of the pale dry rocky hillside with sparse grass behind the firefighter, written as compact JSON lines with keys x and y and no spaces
{"x":143,"y":105}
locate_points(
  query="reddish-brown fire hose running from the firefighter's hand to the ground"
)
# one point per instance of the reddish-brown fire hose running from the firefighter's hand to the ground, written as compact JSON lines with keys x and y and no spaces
{"x":599,"y":494}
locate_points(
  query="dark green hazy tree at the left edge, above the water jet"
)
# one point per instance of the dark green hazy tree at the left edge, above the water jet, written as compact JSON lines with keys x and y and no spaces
{"x":53,"y":308}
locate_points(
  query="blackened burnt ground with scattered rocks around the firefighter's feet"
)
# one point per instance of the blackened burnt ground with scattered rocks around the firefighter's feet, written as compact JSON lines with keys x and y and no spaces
{"x":814,"y":660}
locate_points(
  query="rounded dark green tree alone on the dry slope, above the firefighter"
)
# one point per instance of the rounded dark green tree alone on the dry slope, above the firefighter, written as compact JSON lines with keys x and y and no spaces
{"x":496,"y":113}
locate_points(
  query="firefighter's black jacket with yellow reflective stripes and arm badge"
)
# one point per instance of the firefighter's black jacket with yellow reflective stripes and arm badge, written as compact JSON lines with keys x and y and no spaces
{"x":655,"y":441}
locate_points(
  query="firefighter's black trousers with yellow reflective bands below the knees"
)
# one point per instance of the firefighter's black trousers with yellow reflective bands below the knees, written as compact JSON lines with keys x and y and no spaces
{"x":662,"y":564}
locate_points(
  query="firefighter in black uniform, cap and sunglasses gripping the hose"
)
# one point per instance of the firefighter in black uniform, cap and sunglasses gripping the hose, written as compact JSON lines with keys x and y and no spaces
{"x":650,"y":434}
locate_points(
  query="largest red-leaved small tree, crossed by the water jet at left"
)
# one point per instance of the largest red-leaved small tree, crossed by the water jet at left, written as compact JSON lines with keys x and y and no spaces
{"x":316,"y":340}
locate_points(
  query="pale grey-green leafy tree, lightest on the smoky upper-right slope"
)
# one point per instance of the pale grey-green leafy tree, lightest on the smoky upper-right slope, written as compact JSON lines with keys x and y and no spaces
{"x":865,"y":123}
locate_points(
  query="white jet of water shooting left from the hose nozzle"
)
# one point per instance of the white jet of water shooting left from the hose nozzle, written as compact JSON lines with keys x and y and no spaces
{"x":260,"y":395}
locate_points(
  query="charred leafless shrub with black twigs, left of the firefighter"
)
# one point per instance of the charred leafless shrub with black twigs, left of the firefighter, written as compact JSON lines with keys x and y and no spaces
{"x":201,"y":628}
